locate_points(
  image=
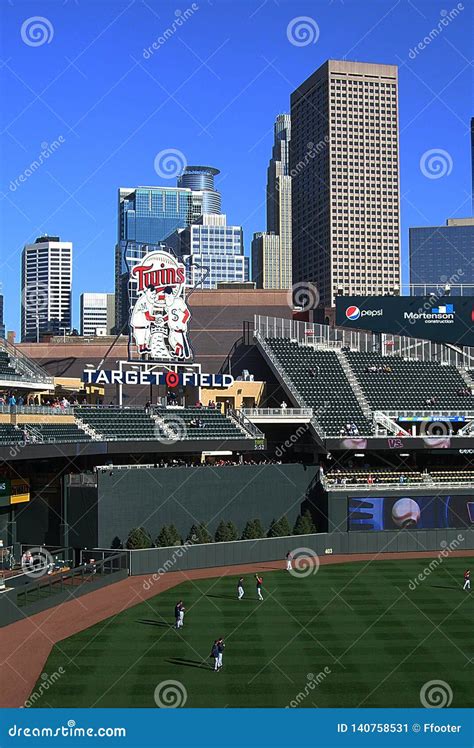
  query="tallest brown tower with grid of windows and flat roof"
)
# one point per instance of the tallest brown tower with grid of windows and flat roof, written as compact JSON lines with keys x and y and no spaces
{"x":345,"y":180}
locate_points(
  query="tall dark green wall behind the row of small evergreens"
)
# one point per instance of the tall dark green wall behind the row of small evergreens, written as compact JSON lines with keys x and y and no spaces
{"x":154,"y":497}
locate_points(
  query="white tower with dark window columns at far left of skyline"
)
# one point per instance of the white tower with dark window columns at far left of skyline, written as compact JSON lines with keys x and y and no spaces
{"x":46,"y":287}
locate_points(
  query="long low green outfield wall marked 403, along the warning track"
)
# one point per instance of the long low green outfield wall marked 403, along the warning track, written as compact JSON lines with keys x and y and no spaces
{"x":182,"y":558}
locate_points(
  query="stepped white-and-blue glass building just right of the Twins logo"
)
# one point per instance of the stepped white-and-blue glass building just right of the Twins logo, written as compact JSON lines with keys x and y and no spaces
{"x":213,"y":251}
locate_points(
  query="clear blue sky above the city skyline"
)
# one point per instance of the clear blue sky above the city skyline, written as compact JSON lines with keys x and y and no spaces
{"x":212,"y":91}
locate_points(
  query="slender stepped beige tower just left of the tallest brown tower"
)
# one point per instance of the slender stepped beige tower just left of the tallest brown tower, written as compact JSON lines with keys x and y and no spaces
{"x":271,"y":250}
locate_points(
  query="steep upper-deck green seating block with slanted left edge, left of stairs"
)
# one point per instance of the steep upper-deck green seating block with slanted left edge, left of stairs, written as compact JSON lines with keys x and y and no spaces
{"x":319,"y":381}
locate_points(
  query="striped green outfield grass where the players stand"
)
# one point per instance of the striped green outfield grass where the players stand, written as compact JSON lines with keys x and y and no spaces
{"x":380,"y":641}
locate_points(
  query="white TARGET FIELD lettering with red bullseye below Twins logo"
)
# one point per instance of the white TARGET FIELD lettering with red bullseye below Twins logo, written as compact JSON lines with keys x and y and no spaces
{"x":169,"y":378}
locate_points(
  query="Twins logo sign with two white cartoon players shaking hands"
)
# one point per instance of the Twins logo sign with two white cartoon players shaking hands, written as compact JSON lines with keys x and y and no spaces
{"x":159,"y":317}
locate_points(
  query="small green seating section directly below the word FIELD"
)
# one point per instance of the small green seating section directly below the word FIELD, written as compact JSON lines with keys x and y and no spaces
{"x":213,"y":424}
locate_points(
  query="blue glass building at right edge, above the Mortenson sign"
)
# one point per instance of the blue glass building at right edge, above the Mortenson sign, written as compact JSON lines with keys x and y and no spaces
{"x":442,"y":255}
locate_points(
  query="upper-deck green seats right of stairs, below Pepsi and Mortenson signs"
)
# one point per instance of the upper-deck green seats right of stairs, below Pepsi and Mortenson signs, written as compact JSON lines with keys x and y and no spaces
{"x":410,"y":384}
